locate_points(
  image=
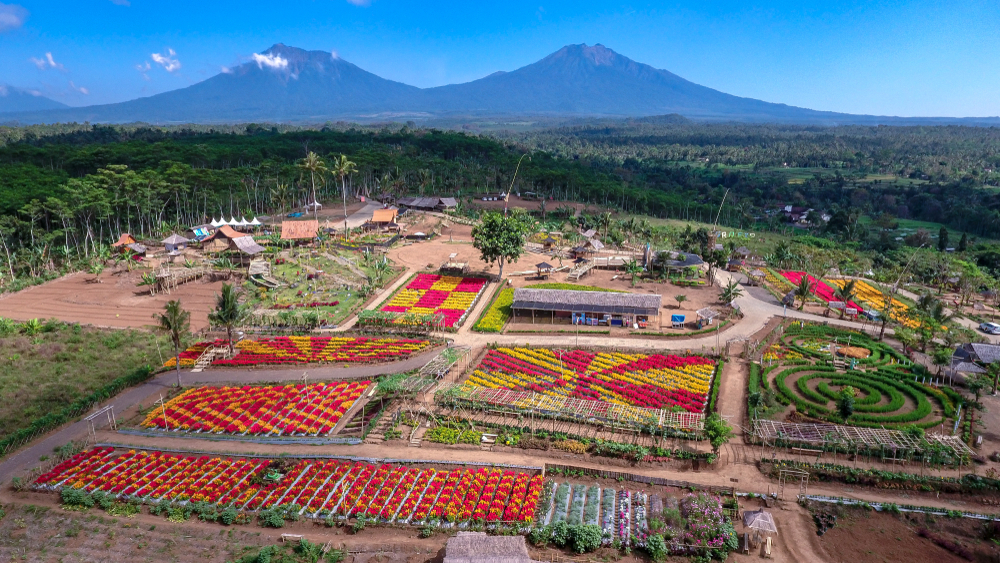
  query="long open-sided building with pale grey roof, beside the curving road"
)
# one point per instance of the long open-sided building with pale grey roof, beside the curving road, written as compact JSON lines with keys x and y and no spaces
{"x":586,"y":307}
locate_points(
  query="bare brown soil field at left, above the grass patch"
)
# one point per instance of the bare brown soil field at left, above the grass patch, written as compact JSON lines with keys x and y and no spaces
{"x":115,"y":302}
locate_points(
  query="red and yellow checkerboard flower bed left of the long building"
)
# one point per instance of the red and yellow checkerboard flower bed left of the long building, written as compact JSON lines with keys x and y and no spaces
{"x":449,"y":296}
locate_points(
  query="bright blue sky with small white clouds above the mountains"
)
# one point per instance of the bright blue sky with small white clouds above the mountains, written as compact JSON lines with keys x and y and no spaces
{"x":905,"y":57}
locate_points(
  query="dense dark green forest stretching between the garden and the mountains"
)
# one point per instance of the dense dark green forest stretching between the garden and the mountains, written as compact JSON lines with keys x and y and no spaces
{"x":66,"y":191}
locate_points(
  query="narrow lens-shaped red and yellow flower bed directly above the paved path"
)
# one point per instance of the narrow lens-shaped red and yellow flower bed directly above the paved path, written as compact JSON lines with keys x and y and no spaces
{"x":307,"y":350}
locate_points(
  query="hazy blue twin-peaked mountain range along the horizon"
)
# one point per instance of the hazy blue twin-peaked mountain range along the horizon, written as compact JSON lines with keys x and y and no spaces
{"x":289,"y":84}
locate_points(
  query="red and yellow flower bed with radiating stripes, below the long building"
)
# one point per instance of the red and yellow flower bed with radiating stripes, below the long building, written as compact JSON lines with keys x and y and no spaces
{"x":642,"y":380}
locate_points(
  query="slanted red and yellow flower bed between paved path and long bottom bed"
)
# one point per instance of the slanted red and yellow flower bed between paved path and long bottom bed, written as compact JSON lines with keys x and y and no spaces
{"x":286,"y":410}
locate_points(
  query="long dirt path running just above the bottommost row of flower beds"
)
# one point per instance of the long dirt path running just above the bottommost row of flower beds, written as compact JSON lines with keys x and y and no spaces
{"x":748,"y":477}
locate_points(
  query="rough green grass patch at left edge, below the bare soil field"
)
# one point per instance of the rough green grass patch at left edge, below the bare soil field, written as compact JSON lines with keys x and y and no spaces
{"x":43,"y":372}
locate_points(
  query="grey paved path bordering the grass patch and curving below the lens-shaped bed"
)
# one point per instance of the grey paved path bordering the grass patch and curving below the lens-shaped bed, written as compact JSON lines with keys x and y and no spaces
{"x":27,"y":458}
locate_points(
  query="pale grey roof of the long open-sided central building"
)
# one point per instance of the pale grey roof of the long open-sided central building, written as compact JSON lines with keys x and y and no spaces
{"x":586,"y":301}
